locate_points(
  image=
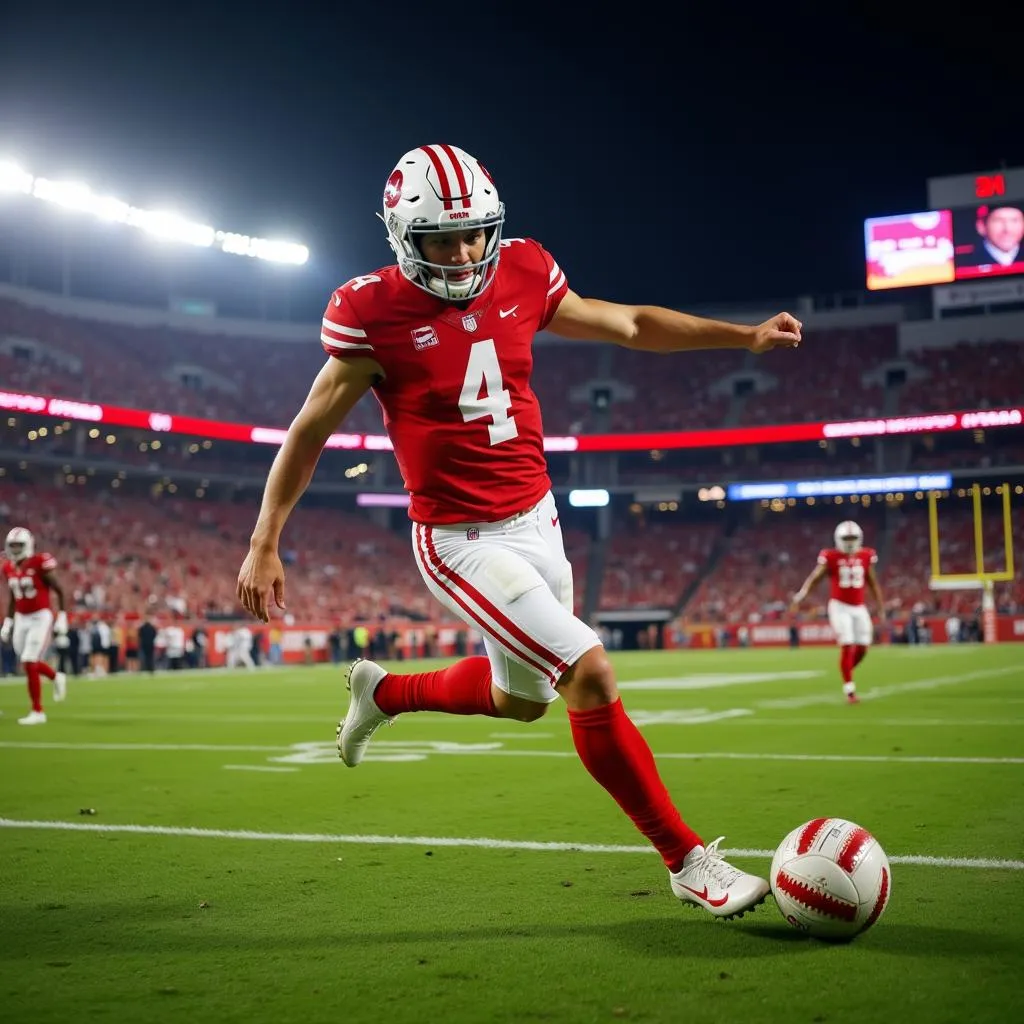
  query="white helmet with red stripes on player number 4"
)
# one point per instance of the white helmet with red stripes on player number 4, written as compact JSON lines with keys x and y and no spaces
{"x":443,"y":189}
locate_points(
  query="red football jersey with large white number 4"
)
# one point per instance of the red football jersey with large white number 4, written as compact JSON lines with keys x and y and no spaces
{"x":458,"y":406}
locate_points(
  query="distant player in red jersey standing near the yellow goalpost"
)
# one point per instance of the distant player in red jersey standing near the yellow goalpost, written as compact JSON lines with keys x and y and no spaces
{"x":850,"y":568}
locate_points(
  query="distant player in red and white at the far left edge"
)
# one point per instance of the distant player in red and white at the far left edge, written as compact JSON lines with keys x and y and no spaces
{"x":30,"y":619}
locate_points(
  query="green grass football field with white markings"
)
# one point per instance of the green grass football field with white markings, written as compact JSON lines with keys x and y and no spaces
{"x":471,"y":871}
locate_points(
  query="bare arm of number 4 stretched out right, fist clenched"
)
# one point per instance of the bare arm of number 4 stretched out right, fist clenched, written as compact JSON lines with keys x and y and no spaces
{"x":655,"y":329}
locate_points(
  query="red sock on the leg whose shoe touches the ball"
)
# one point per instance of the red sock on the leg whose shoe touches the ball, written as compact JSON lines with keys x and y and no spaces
{"x":613,"y":750}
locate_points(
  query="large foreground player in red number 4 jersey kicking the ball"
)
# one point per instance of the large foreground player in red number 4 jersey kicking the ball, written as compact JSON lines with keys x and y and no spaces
{"x":444,"y":339}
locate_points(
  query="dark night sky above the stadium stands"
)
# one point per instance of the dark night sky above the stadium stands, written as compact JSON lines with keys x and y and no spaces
{"x":678,"y":159}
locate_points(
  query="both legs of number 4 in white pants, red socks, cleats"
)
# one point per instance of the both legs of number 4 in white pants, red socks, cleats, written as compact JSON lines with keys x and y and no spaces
{"x":536,"y":642}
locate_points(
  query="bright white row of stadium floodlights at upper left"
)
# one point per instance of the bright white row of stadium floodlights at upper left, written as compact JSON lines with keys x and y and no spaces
{"x":158,"y":224}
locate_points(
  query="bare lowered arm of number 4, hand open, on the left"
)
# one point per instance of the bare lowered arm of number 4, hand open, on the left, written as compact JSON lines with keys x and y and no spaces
{"x":337,"y":389}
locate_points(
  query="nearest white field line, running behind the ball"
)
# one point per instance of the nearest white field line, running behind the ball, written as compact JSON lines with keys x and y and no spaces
{"x":449,"y":841}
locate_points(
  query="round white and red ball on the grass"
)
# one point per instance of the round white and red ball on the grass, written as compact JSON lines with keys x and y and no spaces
{"x":831,"y":879}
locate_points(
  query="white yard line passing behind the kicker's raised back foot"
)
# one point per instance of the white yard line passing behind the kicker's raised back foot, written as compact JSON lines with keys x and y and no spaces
{"x":486,"y":750}
